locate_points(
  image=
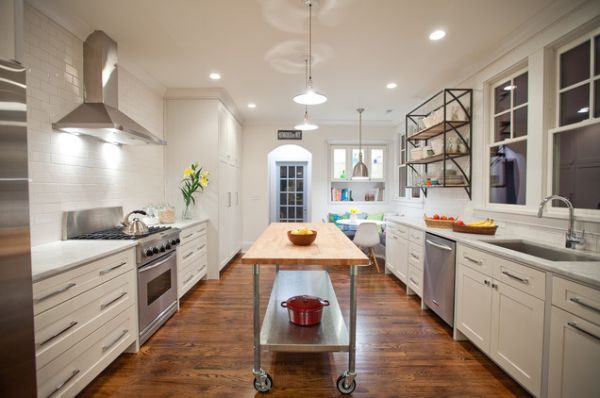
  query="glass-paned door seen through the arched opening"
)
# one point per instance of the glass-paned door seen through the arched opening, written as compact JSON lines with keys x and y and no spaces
{"x":291,"y":191}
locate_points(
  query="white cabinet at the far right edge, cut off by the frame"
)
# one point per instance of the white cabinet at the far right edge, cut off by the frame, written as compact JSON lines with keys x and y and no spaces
{"x":574,"y":341}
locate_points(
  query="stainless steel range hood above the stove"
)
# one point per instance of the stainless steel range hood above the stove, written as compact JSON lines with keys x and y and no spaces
{"x":99,"y":115}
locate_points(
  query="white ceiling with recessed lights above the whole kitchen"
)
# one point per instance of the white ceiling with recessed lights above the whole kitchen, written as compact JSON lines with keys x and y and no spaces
{"x":258,"y":46}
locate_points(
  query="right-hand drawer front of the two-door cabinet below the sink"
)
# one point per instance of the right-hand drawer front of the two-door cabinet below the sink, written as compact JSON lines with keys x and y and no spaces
{"x":520,"y":277}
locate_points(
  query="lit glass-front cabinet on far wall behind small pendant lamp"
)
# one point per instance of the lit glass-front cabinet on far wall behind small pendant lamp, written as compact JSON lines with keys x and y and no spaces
{"x":343,"y":158}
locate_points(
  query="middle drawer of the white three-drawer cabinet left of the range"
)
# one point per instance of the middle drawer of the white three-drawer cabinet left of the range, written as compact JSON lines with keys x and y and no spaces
{"x":62,"y":326}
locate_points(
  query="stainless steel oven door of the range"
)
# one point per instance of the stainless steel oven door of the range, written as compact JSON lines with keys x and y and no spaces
{"x":157,"y":294}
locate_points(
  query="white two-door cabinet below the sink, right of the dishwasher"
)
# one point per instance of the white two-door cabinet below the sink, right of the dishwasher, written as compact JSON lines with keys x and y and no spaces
{"x":506,"y":322}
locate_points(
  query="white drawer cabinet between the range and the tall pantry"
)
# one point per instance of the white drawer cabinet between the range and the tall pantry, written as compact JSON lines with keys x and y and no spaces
{"x":192,"y":257}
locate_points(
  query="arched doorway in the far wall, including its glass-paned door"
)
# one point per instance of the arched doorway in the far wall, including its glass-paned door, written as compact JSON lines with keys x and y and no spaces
{"x":290,"y":176}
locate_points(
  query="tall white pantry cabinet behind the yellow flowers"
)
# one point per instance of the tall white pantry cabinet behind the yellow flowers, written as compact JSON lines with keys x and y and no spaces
{"x":203,"y":130}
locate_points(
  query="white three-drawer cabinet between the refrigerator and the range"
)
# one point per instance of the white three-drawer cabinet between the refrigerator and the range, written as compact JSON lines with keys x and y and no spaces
{"x":84,"y":319}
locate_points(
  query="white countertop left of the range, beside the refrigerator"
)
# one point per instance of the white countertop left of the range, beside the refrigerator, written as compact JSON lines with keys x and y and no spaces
{"x":56,"y":257}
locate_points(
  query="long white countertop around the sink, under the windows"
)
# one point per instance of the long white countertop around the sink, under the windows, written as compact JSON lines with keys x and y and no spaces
{"x":586,"y":272}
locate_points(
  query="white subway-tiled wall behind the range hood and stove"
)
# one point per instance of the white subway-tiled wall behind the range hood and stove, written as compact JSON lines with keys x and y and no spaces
{"x":70,"y":172}
